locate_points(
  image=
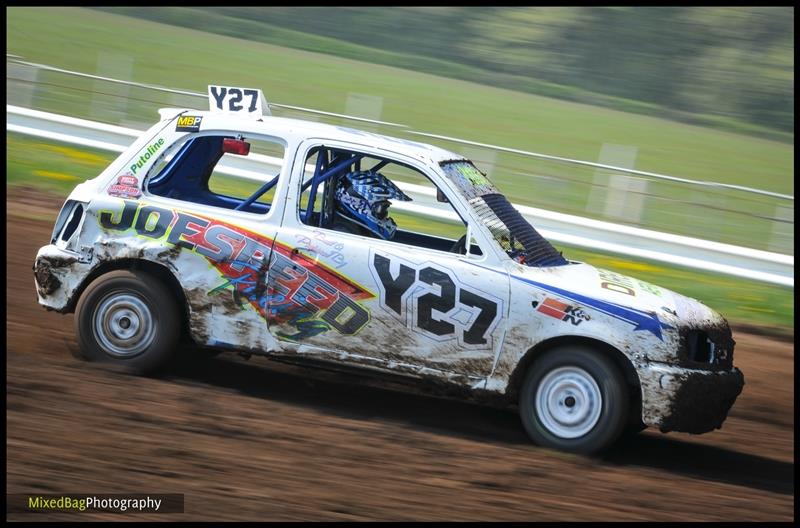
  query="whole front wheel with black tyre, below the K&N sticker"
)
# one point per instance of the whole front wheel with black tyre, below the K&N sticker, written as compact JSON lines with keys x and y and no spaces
{"x":574,"y":399}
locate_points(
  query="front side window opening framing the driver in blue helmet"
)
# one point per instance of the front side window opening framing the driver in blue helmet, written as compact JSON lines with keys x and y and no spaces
{"x":365,"y":195}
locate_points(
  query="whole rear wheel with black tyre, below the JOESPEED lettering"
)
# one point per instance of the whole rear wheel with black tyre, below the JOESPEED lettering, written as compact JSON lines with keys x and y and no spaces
{"x":128,"y":318}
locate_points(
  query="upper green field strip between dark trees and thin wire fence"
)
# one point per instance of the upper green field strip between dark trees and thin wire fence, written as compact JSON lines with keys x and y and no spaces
{"x":181,"y":58}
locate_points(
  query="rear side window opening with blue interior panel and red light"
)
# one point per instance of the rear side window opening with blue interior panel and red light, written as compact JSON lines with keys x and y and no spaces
{"x":226,"y":171}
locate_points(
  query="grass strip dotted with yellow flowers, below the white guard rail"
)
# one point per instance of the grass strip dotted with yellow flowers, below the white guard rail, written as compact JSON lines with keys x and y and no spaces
{"x":57,"y":168}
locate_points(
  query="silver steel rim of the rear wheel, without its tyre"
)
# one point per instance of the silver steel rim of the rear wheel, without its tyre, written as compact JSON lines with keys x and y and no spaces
{"x":124,"y":325}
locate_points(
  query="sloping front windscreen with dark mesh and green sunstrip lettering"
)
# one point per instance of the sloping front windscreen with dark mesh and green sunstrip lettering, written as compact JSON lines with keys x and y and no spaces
{"x":509,"y":228}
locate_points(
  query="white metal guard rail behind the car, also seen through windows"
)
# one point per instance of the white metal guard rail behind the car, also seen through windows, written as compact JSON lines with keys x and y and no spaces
{"x":694,"y":253}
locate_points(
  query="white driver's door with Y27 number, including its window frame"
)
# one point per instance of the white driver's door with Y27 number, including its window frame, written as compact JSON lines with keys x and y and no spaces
{"x":393,"y":304}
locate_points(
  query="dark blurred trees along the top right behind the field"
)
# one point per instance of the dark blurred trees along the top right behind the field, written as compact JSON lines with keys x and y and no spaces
{"x":724,"y":67}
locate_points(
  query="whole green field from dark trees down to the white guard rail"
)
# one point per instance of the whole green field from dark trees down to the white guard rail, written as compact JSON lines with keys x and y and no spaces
{"x":117,"y":46}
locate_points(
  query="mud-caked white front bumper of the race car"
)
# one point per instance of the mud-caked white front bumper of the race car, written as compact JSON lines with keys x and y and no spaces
{"x":687,"y":400}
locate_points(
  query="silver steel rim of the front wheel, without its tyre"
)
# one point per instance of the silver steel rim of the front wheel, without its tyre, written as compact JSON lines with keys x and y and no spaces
{"x":568,"y":402}
